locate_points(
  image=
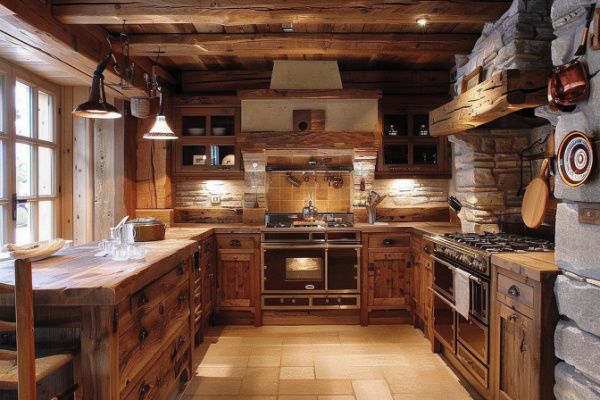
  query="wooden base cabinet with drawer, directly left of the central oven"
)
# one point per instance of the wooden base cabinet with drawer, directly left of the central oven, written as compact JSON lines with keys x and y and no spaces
{"x":237,"y":278}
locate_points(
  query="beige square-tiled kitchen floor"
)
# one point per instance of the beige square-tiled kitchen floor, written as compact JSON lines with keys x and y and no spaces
{"x":321,"y":363}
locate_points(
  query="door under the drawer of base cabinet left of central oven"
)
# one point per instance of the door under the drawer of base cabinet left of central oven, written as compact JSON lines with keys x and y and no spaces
{"x":235,"y":277}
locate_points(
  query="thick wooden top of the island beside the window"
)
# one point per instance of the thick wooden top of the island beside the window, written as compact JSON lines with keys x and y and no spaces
{"x":75,"y":277}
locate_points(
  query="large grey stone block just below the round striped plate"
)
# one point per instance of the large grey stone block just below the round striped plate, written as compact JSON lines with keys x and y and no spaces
{"x":577,"y":245}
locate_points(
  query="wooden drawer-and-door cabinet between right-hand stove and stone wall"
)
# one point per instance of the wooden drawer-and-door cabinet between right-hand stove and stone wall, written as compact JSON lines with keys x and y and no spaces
{"x":523,"y":324}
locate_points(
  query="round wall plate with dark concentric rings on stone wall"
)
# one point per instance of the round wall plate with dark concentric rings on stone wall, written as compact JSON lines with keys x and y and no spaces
{"x":575,"y":158}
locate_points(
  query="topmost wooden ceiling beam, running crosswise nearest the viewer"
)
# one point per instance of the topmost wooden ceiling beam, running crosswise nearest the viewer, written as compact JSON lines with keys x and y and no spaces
{"x":247,"y":12}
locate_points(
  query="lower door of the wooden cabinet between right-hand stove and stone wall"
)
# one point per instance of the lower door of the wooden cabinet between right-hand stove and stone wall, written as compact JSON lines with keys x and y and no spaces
{"x":517,"y":368}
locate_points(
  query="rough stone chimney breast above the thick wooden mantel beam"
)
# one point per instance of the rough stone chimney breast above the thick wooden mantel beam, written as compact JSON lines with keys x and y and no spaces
{"x":519,"y":39}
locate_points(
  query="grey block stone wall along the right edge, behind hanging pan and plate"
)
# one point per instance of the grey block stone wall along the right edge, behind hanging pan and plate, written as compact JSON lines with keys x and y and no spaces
{"x":577,"y":337}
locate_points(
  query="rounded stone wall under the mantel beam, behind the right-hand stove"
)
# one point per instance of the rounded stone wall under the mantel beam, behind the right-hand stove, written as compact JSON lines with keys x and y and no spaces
{"x":487,"y":175}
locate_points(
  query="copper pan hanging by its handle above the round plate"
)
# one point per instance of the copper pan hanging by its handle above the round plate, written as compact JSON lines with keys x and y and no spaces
{"x":569,"y":83}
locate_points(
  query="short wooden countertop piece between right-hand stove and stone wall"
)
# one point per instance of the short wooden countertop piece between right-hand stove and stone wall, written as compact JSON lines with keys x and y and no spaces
{"x":532,"y":265}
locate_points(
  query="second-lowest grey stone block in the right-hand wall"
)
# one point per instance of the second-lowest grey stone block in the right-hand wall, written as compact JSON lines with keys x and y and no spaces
{"x":578,"y":348}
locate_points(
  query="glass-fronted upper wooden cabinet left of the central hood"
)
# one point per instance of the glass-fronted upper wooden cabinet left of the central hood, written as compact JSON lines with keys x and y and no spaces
{"x":207,"y":142}
